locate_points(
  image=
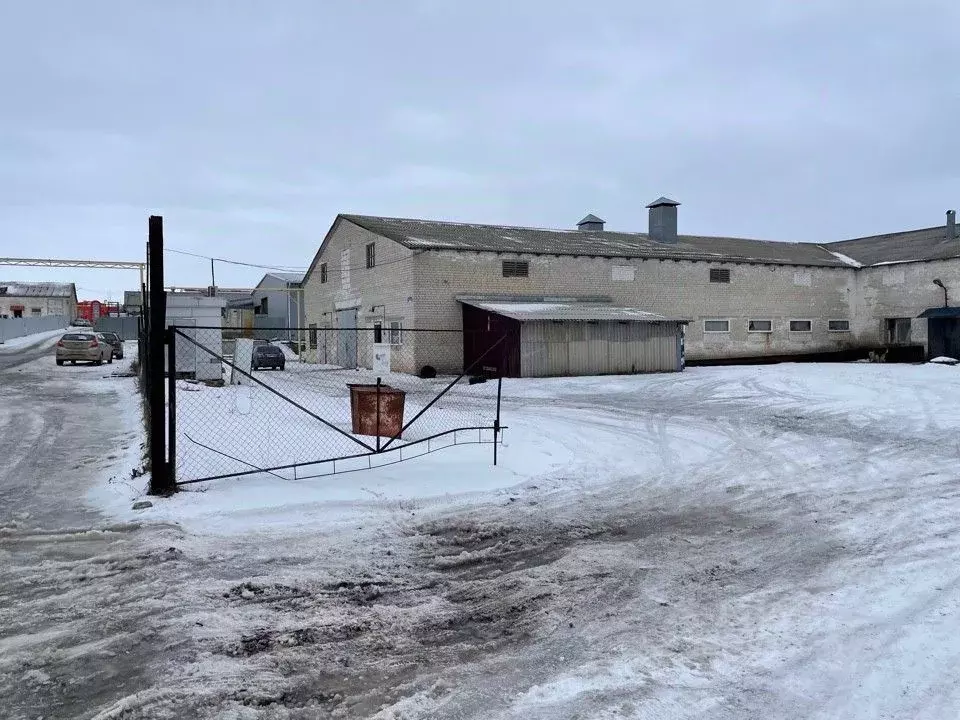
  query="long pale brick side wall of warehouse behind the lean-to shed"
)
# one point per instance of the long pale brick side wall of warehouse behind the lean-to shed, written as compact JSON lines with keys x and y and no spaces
{"x":672,"y":288}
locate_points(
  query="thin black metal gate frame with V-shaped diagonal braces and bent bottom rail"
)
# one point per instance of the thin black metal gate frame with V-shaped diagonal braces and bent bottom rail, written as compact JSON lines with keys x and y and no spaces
{"x":175,"y":334}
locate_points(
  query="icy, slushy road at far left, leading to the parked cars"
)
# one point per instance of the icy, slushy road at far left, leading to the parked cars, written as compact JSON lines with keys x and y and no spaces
{"x":71,"y":639}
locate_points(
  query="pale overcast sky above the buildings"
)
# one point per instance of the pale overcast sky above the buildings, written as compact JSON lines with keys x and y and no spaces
{"x":250,"y":124}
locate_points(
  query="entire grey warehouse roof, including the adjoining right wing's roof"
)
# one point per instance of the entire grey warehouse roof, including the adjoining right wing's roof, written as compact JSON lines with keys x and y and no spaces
{"x":912,"y":245}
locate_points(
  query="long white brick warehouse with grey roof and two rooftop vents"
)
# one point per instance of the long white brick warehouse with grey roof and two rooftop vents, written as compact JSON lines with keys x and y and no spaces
{"x":742,"y":298}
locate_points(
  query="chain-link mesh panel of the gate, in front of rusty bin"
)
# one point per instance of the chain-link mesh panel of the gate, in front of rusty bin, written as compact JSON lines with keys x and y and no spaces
{"x":340,"y":400}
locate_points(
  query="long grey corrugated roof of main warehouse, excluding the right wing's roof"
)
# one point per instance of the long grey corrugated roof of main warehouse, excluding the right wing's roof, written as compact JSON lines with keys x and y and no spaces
{"x":437,"y":235}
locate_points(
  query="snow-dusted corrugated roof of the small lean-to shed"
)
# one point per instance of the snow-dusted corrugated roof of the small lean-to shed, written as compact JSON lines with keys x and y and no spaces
{"x":560,"y":308}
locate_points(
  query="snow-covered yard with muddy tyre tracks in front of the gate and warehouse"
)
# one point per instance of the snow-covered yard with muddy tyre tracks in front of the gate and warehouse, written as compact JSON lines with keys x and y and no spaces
{"x":739,"y":542}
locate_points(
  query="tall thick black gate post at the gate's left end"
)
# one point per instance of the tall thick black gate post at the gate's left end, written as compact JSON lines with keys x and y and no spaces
{"x":160,"y":483}
